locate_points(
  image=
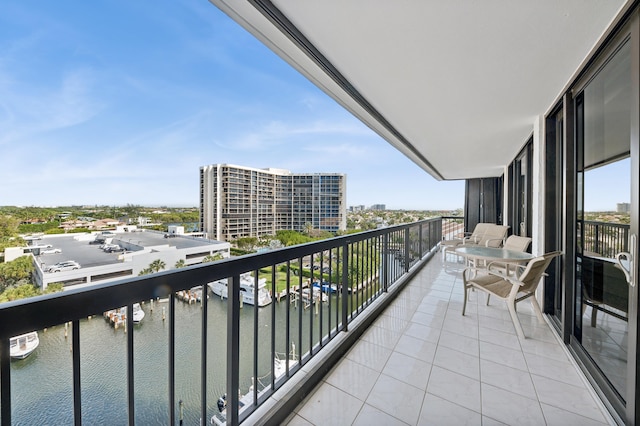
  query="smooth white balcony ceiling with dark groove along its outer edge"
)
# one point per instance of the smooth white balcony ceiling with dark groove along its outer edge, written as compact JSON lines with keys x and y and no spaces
{"x":454,"y":85}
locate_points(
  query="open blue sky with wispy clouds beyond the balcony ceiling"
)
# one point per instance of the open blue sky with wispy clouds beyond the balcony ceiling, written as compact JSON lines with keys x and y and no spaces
{"x":116,"y":103}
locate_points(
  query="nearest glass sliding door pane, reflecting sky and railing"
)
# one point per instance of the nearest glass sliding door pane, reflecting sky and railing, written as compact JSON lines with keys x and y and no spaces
{"x":604,"y":216}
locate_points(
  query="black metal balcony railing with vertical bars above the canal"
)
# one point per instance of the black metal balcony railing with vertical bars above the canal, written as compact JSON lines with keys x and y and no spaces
{"x":355,"y":270}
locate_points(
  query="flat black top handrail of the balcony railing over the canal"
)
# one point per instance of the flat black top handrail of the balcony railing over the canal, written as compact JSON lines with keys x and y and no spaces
{"x":106,"y":296}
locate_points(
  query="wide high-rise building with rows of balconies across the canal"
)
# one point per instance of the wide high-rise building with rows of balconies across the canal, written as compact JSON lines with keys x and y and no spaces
{"x":238,"y":201}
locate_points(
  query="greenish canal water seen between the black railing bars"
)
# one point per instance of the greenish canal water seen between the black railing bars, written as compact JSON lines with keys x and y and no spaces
{"x":42,"y":384}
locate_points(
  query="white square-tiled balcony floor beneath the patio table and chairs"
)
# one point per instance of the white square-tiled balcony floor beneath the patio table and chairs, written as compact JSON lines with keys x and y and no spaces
{"x":423,"y":363}
